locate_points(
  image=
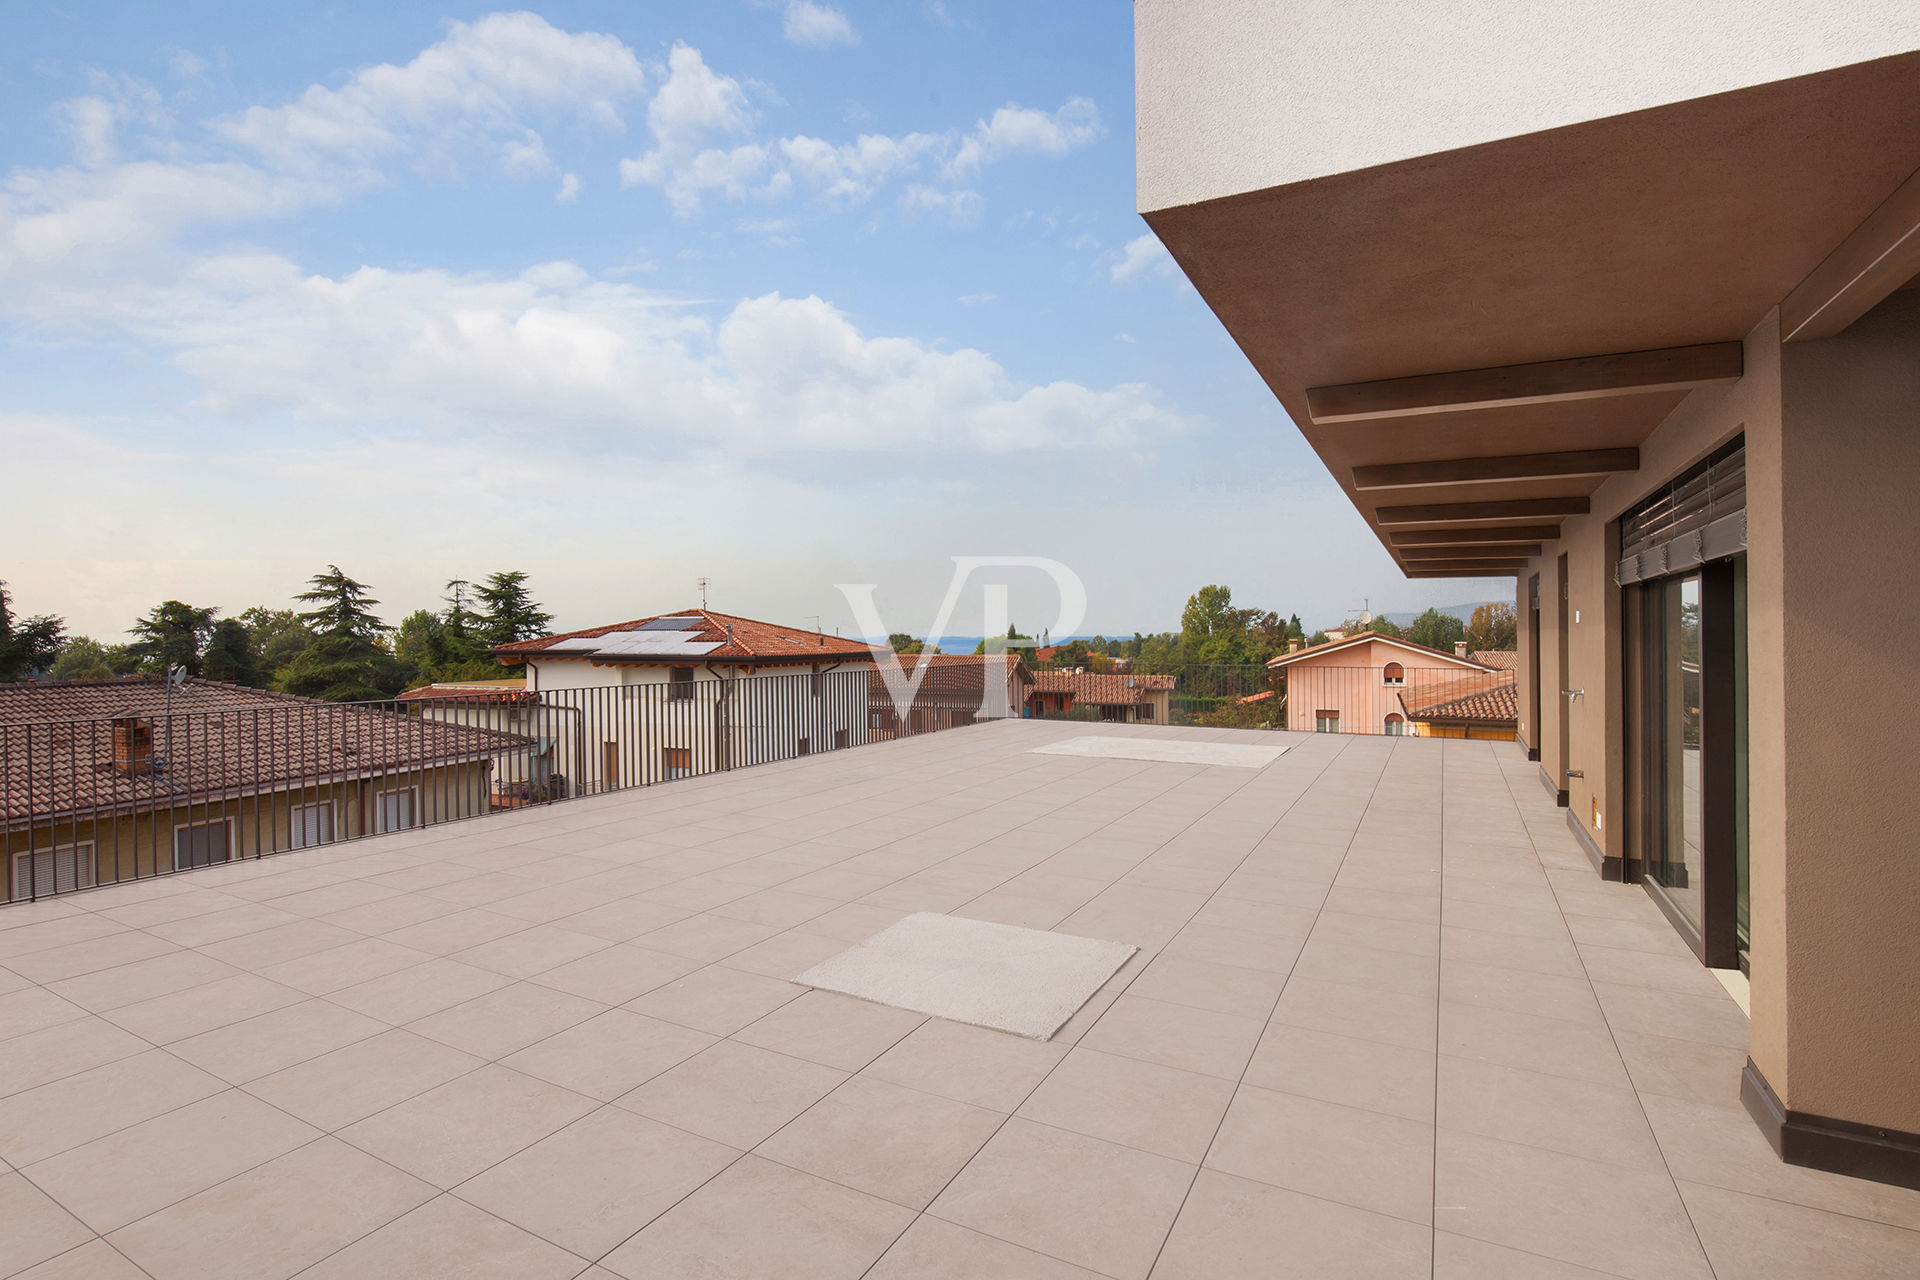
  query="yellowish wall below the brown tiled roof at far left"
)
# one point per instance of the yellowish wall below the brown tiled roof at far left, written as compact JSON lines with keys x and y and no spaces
{"x":133,"y":845}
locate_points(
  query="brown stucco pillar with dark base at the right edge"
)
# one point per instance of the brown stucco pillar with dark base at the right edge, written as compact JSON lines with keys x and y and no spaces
{"x":1852,"y":876}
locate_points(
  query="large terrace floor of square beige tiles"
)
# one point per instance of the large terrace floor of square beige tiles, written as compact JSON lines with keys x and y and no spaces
{"x":1385,"y":1024}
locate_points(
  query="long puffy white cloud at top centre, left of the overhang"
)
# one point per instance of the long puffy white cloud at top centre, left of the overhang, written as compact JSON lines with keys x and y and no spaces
{"x":704,"y":145}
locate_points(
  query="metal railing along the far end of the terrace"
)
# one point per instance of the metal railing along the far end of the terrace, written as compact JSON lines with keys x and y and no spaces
{"x":1393,"y":699}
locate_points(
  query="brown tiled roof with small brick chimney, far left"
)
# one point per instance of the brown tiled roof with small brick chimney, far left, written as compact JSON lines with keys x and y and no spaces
{"x":57,"y":744}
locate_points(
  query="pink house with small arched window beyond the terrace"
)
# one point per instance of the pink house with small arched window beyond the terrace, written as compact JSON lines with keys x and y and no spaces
{"x":1364,"y":684}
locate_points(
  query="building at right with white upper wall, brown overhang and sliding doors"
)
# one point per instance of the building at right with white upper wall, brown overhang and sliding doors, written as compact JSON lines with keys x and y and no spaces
{"x":1618,"y":302}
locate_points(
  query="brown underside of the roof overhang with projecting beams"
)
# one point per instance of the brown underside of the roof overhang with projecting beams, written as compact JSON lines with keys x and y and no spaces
{"x":1533,"y":291}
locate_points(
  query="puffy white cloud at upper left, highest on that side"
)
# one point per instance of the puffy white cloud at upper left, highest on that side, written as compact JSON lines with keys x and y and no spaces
{"x":469,"y":93}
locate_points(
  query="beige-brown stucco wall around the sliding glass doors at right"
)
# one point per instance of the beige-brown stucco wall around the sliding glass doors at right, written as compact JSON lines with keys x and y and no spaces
{"x":1833,"y":435}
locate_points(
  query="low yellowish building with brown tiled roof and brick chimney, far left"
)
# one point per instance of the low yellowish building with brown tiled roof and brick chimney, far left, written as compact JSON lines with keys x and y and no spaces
{"x":107,"y":780}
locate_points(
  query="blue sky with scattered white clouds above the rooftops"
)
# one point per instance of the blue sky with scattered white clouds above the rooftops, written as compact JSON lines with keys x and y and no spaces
{"x":773,"y":293}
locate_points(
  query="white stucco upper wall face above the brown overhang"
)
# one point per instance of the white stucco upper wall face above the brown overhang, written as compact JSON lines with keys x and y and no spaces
{"x":1243,"y":95}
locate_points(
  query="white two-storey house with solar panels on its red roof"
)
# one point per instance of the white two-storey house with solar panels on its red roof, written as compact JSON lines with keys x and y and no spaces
{"x":686,"y":694}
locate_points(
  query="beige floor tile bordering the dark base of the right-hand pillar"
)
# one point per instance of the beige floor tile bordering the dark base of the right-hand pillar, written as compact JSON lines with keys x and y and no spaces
{"x":1723,"y":1147}
